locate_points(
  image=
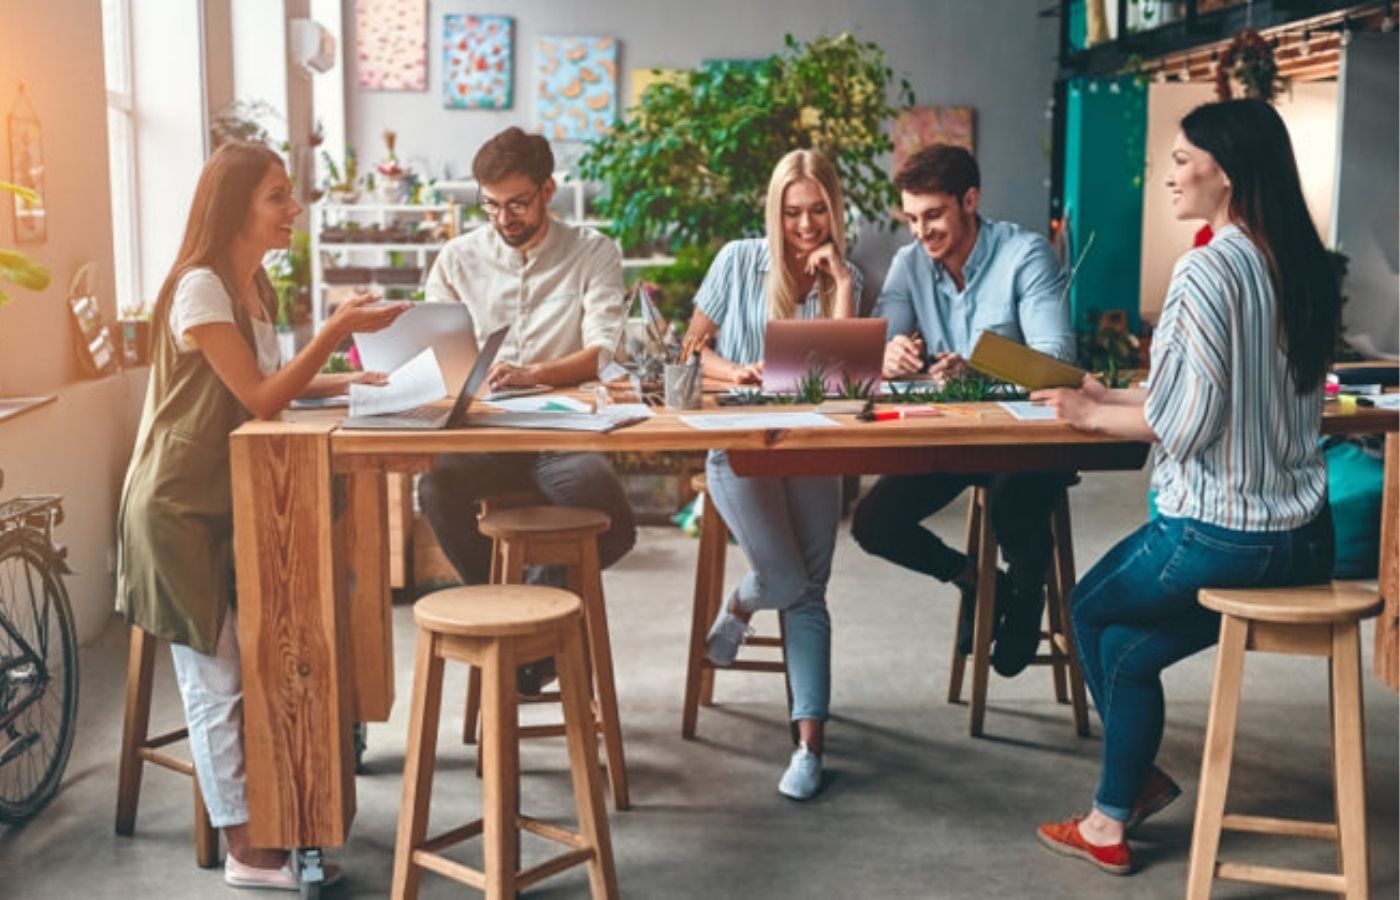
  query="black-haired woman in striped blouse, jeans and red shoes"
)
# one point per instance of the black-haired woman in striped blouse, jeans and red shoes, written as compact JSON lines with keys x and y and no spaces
{"x":1234,"y":404}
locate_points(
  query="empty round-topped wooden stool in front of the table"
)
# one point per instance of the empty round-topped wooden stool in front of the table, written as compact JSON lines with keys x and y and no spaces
{"x":498,"y":628}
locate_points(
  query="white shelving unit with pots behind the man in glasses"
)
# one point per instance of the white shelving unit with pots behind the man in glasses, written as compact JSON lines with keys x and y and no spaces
{"x":370,"y":254}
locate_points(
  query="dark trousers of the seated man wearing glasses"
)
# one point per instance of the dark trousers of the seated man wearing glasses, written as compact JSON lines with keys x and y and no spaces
{"x":451,"y":489}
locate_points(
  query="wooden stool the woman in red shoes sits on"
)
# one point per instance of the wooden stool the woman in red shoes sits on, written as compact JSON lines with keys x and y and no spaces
{"x":1308,"y":622}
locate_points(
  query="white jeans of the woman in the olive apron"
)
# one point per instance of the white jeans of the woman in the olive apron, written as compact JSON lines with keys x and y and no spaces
{"x":213,"y":694}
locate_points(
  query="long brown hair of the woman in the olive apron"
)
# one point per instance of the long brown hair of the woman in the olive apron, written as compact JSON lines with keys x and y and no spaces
{"x":216,"y":215}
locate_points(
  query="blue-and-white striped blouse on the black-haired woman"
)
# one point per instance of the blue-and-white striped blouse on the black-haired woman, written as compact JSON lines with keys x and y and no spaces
{"x":1238,"y":443}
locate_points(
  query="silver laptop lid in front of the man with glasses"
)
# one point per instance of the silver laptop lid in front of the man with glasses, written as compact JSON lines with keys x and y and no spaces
{"x":446,"y":328}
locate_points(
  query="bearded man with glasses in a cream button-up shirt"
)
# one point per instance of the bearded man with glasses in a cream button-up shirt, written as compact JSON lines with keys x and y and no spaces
{"x":561,"y":290}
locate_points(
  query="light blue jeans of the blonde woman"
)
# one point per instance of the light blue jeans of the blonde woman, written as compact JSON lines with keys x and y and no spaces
{"x":787,"y":530}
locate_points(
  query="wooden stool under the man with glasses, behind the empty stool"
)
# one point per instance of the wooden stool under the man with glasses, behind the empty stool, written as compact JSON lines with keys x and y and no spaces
{"x":559,"y":537}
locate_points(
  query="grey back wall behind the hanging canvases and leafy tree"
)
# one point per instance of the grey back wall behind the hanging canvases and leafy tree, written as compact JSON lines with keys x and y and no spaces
{"x":993,"y":55}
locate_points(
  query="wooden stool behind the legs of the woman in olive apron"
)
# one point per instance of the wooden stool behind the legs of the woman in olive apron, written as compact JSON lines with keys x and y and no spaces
{"x":138,"y":748}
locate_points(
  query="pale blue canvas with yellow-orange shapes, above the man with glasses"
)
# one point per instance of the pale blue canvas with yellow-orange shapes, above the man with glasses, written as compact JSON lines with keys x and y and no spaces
{"x":577,"y":87}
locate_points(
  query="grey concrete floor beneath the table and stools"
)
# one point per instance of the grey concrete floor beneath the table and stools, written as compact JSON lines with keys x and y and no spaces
{"x":913,"y":807}
